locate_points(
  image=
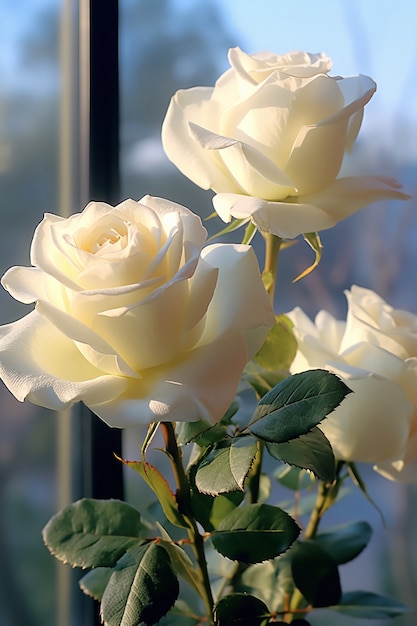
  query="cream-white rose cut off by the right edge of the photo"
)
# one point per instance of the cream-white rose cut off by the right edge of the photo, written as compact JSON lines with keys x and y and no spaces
{"x":375,"y":352}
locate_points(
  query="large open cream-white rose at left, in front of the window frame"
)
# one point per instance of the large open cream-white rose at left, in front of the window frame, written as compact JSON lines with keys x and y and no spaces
{"x":133,"y":316}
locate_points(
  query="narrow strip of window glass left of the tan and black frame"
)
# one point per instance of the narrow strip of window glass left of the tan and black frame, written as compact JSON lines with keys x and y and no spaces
{"x":29,"y":99}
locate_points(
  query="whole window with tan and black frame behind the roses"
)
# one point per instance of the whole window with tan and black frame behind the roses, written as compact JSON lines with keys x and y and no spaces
{"x":54,"y":157}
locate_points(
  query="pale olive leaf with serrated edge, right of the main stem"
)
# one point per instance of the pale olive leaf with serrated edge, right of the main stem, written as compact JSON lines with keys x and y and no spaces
{"x":226,"y":466}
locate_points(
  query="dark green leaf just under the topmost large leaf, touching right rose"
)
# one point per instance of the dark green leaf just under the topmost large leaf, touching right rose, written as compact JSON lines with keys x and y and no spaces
{"x":311,"y":451}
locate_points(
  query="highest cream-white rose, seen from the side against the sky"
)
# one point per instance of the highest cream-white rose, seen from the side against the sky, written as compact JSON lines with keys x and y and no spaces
{"x":269,"y":139}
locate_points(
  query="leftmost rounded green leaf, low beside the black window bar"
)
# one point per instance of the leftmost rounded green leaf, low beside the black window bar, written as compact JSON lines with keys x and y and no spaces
{"x":93,"y":533}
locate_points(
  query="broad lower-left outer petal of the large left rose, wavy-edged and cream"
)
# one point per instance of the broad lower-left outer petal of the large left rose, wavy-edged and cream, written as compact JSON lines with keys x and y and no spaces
{"x":40,"y":364}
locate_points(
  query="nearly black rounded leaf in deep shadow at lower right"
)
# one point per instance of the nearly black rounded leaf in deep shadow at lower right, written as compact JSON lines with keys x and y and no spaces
{"x":315,"y":574}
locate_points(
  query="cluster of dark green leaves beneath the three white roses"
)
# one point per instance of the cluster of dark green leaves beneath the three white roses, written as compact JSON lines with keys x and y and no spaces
{"x":136,"y":578}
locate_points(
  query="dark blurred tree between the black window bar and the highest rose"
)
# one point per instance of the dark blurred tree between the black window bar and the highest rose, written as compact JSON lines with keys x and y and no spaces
{"x":165,"y":46}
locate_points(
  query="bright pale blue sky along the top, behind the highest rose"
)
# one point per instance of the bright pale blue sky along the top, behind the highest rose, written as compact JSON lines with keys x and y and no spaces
{"x":374,"y":37}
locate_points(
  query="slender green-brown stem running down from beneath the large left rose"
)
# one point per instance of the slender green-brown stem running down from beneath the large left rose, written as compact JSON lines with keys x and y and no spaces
{"x":184,"y":501}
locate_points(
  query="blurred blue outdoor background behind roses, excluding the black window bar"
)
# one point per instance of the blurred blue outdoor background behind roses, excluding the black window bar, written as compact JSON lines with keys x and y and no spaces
{"x":165,"y":45}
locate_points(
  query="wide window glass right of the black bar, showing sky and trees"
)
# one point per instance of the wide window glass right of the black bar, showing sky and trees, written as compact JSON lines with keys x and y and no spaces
{"x":184,"y":44}
